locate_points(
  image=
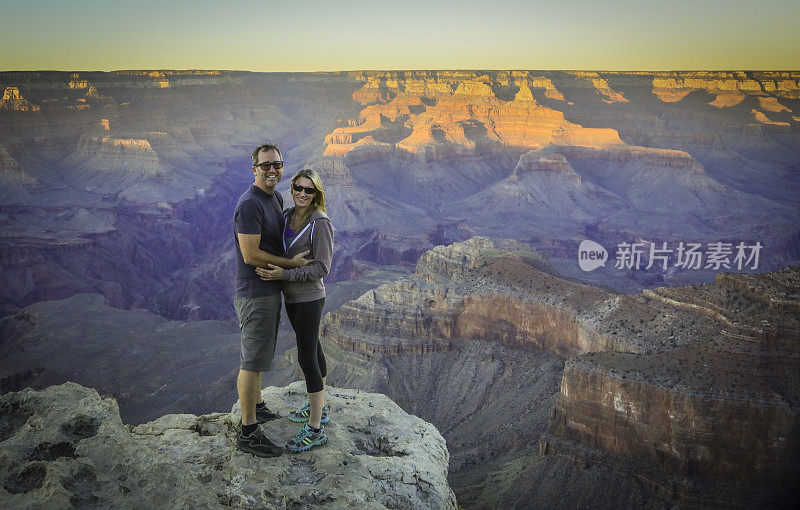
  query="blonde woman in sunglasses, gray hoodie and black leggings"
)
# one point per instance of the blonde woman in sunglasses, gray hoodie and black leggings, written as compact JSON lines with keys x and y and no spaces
{"x":307,"y":228}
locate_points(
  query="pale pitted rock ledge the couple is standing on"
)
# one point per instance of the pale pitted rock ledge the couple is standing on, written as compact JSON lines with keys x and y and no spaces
{"x":66,"y":446}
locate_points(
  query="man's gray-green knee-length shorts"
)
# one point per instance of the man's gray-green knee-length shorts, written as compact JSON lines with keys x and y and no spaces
{"x":259,"y":319}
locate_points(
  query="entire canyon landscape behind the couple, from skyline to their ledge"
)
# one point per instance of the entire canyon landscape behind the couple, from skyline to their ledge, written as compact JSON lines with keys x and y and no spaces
{"x":460,"y":200}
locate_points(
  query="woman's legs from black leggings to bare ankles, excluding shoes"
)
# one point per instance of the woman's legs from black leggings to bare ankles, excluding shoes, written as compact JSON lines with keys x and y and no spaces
{"x":305,"y":319}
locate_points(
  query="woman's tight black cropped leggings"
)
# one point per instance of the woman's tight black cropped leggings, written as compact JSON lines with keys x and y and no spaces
{"x":305,"y":319}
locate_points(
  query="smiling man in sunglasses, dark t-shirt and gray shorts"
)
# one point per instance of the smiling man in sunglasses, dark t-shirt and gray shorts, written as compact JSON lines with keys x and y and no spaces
{"x":258,"y":227}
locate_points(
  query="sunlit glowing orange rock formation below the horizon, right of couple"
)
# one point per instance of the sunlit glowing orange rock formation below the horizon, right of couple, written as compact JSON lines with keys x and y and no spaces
{"x":462,"y":116}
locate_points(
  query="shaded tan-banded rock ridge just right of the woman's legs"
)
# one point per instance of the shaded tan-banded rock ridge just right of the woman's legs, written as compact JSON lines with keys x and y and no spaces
{"x":440,"y":304}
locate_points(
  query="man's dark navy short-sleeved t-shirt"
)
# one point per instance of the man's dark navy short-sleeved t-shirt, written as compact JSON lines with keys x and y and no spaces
{"x":258,"y":212}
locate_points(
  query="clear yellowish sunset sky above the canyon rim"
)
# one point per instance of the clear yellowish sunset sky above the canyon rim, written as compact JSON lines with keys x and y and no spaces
{"x":413,"y":34}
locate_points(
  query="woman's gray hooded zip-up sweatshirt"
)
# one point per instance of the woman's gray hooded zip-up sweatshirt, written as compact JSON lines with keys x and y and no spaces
{"x":303,"y":284}
